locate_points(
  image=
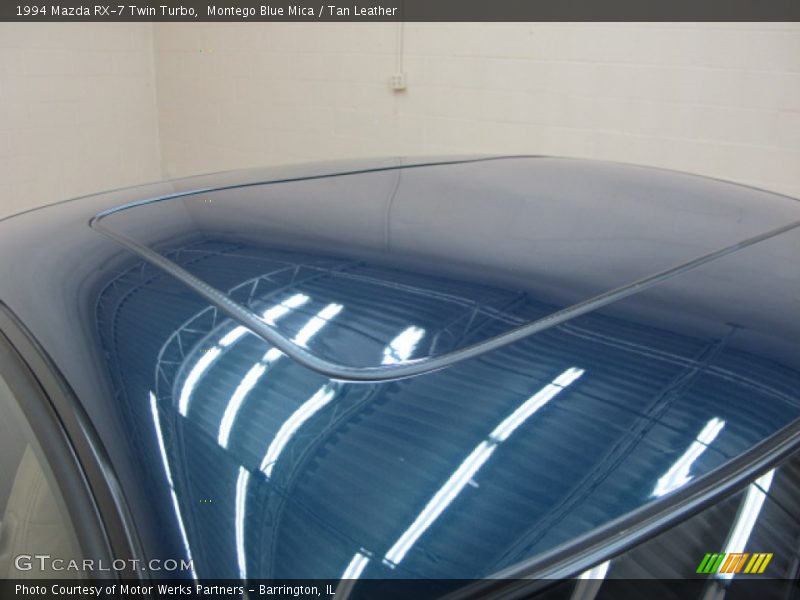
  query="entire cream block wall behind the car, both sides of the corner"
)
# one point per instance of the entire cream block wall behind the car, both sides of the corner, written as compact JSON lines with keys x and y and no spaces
{"x":87,"y":107}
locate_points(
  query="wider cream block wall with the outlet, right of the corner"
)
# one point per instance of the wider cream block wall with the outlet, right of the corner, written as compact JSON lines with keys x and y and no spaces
{"x":717,"y":99}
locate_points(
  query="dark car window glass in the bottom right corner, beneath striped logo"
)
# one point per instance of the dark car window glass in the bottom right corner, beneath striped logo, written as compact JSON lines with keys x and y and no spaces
{"x":729,"y":548}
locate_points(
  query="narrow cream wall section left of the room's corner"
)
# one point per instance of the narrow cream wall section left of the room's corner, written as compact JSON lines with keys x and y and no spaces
{"x":77,"y":111}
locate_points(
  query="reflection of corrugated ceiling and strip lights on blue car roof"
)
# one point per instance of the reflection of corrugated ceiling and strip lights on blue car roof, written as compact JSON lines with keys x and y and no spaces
{"x":277,"y":471}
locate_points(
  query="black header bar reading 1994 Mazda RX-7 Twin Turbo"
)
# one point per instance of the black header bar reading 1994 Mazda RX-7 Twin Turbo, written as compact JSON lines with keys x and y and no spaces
{"x":311,"y":11}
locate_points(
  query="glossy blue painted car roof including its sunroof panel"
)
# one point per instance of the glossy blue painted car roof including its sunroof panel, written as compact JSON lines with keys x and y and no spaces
{"x":279,"y":472}
